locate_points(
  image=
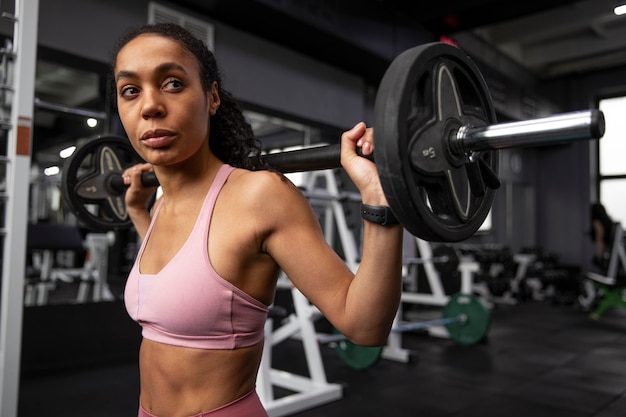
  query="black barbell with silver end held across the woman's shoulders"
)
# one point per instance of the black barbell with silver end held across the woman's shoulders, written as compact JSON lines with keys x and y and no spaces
{"x":436,"y":149}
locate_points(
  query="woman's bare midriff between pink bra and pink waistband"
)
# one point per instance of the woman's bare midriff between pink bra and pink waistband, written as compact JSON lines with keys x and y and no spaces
{"x":180,"y":382}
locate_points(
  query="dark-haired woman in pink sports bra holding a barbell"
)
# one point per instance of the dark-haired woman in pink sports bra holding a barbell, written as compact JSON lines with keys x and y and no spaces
{"x":224,"y":227}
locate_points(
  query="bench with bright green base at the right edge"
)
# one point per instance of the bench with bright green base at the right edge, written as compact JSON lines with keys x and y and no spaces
{"x":609,"y":288}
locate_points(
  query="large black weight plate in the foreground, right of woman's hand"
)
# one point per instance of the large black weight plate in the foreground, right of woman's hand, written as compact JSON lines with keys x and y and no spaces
{"x":426,"y":95}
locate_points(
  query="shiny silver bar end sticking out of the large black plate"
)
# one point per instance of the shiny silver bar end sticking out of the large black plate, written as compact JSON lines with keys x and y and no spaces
{"x":551,"y":130}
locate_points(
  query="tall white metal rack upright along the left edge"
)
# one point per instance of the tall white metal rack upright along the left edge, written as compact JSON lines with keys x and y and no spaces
{"x":17,"y":80}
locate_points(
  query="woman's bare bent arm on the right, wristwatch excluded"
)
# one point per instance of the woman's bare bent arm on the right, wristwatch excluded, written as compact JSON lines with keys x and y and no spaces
{"x":361,"y":304}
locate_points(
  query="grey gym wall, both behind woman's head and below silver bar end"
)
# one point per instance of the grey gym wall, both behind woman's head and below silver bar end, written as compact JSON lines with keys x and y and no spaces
{"x":555,"y":179}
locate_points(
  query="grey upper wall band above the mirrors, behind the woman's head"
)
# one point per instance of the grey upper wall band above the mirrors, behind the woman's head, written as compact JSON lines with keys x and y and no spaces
{"x":255,"y":71}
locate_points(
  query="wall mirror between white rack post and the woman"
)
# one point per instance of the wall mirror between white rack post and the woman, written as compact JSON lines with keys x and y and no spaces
{"x":64,"y":262}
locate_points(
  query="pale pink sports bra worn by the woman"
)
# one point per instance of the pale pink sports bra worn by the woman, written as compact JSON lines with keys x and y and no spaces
{"x":187,"y":303}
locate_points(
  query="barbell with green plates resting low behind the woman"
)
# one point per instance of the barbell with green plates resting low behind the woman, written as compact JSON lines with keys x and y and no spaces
{"x":464,"y":316}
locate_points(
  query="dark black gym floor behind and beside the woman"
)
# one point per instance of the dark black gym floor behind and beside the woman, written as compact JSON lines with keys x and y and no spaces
{"x":540,"y":359}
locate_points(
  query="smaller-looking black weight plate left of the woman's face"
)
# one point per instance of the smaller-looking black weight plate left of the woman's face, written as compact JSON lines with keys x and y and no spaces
{"x":88,"y":182}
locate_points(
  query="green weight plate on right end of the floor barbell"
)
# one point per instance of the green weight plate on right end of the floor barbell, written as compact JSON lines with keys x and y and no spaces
{"x":475,"y":328}
